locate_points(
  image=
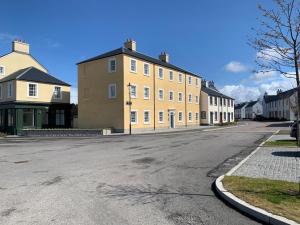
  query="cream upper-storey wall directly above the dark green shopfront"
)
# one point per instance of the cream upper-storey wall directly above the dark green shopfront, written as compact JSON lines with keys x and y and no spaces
{"x":44,"y":93}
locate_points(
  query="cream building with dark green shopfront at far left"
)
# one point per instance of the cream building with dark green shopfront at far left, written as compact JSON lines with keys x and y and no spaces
{"x":29,"y":96}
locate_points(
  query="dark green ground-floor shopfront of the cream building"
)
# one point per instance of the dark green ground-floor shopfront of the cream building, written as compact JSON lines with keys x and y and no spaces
{"x":17,"y":116}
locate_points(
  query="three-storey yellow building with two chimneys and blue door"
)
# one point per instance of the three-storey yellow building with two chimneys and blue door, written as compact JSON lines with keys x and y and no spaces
{"x":124,"y":87}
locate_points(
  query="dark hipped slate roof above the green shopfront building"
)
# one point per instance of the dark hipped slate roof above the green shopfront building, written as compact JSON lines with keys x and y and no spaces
{"x":35,"y":75}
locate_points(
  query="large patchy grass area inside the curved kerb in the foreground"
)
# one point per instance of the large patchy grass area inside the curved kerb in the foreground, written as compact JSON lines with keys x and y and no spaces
{"x":278,"y":197}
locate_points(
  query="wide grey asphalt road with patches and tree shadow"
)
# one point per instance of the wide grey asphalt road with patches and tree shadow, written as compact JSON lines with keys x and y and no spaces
{"x":119,"y":180}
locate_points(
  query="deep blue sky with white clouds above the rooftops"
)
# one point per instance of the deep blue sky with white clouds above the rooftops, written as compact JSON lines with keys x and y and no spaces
{"x":206,"y":37}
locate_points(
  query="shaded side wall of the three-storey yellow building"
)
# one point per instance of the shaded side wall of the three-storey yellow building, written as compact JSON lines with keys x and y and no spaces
{"x":95,"y":109}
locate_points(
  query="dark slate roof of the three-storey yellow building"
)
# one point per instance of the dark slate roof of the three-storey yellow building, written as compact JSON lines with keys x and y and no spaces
{"x":138,"y":55}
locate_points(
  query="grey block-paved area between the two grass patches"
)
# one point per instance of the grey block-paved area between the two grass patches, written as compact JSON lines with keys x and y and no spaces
{"x":277,"y":163}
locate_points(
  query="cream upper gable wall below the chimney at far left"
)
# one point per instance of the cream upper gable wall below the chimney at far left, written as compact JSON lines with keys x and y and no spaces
{"x":15,"y":61}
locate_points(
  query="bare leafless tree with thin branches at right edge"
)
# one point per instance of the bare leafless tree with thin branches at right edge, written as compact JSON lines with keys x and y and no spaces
{"x":277,"y":40}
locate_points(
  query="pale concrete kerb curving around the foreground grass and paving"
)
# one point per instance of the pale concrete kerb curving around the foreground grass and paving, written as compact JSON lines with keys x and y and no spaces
{"x":245,"y":207}
